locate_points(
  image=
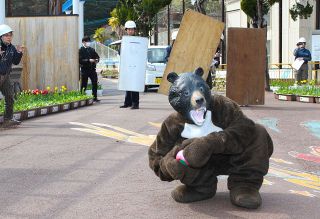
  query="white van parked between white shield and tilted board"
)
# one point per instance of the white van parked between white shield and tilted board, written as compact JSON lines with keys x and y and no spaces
{"x":155,"y":66}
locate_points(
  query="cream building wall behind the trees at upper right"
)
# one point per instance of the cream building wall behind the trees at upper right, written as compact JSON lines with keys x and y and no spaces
{"x":291,"y":30}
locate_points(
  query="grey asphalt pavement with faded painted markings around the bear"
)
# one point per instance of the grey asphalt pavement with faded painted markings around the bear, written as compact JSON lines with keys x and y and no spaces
{"x":92,"y":163}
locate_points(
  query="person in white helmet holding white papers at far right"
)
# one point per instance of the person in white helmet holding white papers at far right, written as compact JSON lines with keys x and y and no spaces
{"x":303,"y":54}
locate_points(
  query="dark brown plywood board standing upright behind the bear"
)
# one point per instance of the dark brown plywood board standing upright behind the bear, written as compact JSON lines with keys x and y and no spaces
{"x":246,"y":59}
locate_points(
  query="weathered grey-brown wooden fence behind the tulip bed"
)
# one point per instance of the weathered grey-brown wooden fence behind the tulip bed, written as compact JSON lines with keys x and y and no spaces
{"x":51,"y":56}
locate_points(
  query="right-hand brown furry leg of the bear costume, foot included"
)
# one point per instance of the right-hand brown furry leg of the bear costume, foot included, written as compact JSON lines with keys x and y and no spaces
{"x":246,"y":175}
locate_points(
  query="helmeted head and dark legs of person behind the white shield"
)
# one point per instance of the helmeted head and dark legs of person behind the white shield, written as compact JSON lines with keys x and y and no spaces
{"x":132,"y":97}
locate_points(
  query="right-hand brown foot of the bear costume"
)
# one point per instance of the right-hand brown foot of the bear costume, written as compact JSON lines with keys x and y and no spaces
{"x":245,"y":197}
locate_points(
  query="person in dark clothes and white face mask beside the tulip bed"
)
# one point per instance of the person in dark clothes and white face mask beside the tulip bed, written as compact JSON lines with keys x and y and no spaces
{"x":88,"y":58}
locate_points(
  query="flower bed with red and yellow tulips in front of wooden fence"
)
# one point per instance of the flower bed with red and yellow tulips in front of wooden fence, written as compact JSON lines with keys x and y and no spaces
{"x":34,"y":103}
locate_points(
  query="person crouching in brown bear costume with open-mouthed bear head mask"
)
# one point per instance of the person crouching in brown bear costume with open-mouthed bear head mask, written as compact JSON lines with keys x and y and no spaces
{"x":208,"y":136}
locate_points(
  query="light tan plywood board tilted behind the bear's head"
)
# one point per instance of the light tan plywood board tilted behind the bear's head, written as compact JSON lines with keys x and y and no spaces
{"x":195,"y":46}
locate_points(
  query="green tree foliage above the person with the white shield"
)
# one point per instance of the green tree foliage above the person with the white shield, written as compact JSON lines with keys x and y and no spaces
{"x":143,"y":12}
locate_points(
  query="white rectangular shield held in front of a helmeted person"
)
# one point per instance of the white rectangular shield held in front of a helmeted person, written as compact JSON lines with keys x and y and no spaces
{"x":133,"y":63}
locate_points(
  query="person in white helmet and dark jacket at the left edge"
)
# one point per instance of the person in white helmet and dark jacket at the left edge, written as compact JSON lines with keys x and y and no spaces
{"x":9,"y":55}
